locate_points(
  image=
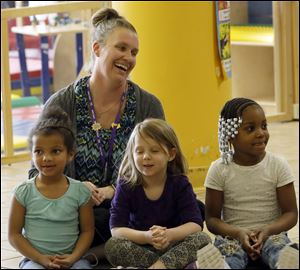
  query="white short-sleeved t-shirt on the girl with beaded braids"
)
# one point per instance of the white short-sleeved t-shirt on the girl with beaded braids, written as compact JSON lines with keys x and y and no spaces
{"x":250,"y":199}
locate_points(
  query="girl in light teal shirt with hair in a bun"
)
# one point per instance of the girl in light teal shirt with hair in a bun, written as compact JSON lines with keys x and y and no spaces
{"x":51,"y":219}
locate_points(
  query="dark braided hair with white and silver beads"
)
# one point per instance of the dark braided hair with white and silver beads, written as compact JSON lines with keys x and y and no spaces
{"x":229,"y":121}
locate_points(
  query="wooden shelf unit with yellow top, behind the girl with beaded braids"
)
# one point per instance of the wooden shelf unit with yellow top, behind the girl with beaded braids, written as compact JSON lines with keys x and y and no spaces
{"x":253,"y":64}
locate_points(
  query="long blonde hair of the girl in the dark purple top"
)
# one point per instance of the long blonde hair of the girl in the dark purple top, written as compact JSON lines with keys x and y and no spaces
{"x":161,"y":132}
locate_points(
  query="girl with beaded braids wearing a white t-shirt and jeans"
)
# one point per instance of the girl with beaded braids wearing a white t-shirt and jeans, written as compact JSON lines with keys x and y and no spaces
{"x":250,"y":197}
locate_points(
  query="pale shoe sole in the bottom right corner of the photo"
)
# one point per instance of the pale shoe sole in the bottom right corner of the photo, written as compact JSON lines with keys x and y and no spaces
{"x":288,"y":258}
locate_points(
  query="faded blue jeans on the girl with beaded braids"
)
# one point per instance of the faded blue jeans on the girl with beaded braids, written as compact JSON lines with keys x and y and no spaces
{"x":237,"y":258}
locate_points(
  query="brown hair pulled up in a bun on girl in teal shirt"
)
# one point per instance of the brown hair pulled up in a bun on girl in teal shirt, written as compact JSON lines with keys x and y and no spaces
{"x":54,"y":120}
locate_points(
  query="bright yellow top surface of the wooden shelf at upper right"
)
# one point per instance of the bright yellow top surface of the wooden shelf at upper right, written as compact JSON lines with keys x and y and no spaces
{"x":252,"y":35}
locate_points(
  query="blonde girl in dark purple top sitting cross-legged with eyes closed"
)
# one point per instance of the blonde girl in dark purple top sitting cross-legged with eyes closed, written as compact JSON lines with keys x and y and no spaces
{"x":155,"y":220}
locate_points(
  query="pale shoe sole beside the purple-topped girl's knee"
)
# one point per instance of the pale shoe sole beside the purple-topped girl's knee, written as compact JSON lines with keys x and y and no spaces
{"x":209,"y":257}
